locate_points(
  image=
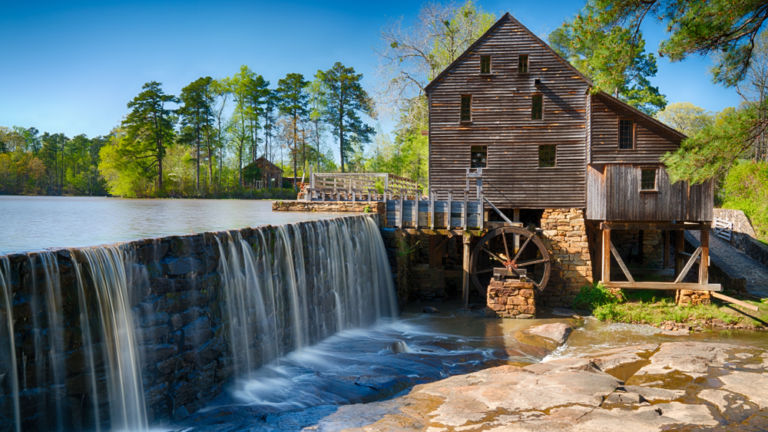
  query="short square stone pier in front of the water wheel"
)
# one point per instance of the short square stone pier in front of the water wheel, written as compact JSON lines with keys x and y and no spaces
{"x":511,"y":298}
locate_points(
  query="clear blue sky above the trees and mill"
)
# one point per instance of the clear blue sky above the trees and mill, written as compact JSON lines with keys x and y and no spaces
{"x":71,"y":66}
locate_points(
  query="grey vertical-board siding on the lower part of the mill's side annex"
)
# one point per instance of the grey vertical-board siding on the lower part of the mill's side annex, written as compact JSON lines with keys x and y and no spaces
{"x":615,"y":196}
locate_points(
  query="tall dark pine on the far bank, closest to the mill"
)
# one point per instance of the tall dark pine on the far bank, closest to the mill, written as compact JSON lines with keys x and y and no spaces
{"x":345,"y":101}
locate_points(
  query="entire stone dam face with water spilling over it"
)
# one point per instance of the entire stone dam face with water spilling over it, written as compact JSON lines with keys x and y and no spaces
{"x":116,"y":337}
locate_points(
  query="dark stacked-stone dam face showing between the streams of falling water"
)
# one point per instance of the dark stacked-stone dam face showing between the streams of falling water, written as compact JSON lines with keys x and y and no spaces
{"x":176,"y":299}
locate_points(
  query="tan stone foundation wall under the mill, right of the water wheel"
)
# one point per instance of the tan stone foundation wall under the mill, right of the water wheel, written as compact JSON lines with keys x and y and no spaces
{"x":566,"y":237}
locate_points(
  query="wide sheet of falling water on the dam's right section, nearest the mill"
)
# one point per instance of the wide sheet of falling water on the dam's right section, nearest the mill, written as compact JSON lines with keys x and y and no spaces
{"x":338,"y":266}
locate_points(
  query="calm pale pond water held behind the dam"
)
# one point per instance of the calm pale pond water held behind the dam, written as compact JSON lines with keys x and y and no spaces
{"x":34,"y":223}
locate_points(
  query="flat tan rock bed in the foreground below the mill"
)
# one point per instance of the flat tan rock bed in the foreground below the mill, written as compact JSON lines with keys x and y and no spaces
{"x":677,"y":385}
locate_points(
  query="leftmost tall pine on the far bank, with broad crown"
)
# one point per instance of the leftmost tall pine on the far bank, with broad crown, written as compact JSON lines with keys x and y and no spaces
{"x":149,"y":129}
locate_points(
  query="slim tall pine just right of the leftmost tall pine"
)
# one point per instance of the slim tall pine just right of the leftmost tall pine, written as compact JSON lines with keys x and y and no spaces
{"x":196,"y":115}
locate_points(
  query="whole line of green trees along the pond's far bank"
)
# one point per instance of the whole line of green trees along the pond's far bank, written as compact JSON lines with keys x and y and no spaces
{"x":202,"y":142}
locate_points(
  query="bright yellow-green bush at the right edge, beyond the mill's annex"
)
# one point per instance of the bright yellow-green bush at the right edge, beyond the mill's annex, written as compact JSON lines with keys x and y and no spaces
{"x":746,"y":188}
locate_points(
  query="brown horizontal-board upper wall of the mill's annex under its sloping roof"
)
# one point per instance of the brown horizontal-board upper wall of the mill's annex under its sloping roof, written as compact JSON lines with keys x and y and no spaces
{"x":651,"y":140}
